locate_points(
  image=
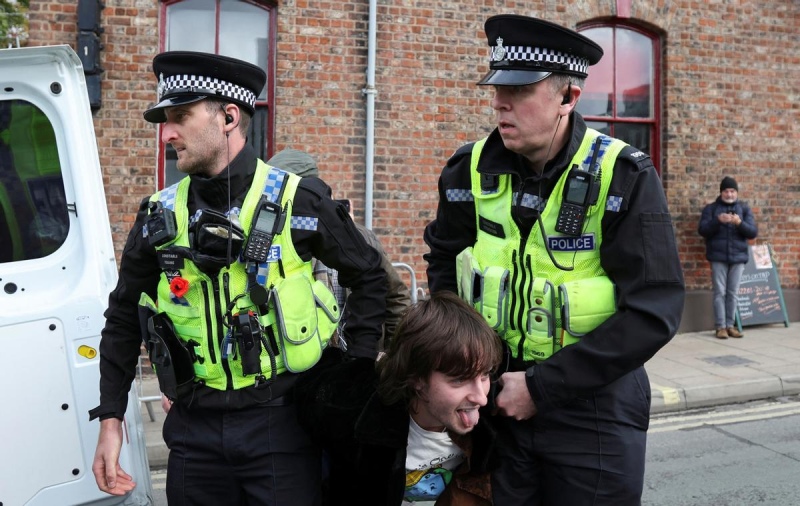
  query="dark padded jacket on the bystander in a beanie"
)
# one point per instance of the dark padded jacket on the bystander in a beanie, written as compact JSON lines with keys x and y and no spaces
{"x":725,"y":242}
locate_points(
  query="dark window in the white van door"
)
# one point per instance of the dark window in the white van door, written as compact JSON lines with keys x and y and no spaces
{"x":33,"y":206}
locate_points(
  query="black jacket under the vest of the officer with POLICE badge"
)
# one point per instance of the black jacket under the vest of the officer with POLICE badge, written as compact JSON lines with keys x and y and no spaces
{"x":638,"y":252}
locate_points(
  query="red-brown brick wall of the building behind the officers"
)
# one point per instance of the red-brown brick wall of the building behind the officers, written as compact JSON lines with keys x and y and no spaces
{"x":730,"y":88}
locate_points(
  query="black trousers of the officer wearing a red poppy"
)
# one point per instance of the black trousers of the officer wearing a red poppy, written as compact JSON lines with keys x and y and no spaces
{"x":252,"y":457}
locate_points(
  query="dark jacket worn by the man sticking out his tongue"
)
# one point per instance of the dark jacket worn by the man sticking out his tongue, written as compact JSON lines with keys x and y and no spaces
{"x":366,"y":440}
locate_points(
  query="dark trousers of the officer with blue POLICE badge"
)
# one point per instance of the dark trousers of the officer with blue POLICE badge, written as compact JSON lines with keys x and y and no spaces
{"x":588,"y":453}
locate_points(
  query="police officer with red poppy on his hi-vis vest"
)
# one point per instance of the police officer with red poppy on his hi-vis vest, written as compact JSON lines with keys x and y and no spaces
{"x":218,"y":270}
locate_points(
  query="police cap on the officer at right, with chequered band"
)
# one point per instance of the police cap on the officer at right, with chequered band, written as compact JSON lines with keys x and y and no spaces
{"x":525,"y":50}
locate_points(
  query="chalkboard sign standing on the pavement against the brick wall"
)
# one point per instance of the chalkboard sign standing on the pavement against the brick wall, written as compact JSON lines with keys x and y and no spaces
{"x":760,"y":299}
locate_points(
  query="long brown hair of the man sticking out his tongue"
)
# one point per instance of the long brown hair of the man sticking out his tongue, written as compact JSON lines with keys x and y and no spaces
{"x":441,"y":334}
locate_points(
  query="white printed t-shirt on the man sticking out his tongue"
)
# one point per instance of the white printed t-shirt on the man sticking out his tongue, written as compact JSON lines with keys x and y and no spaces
{"x":431,"y":458}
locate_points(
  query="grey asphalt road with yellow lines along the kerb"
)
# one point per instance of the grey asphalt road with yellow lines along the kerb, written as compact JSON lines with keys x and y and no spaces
{"x":732,"y":455}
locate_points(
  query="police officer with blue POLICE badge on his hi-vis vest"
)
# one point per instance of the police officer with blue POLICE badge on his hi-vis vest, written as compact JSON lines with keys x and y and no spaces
{"x":560,"y":236}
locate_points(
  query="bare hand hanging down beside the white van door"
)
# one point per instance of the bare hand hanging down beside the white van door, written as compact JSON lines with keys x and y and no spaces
{"x":108,"y":474}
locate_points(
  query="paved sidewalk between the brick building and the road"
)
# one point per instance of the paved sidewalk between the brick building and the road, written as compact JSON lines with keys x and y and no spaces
{"x":693,"y":370}
